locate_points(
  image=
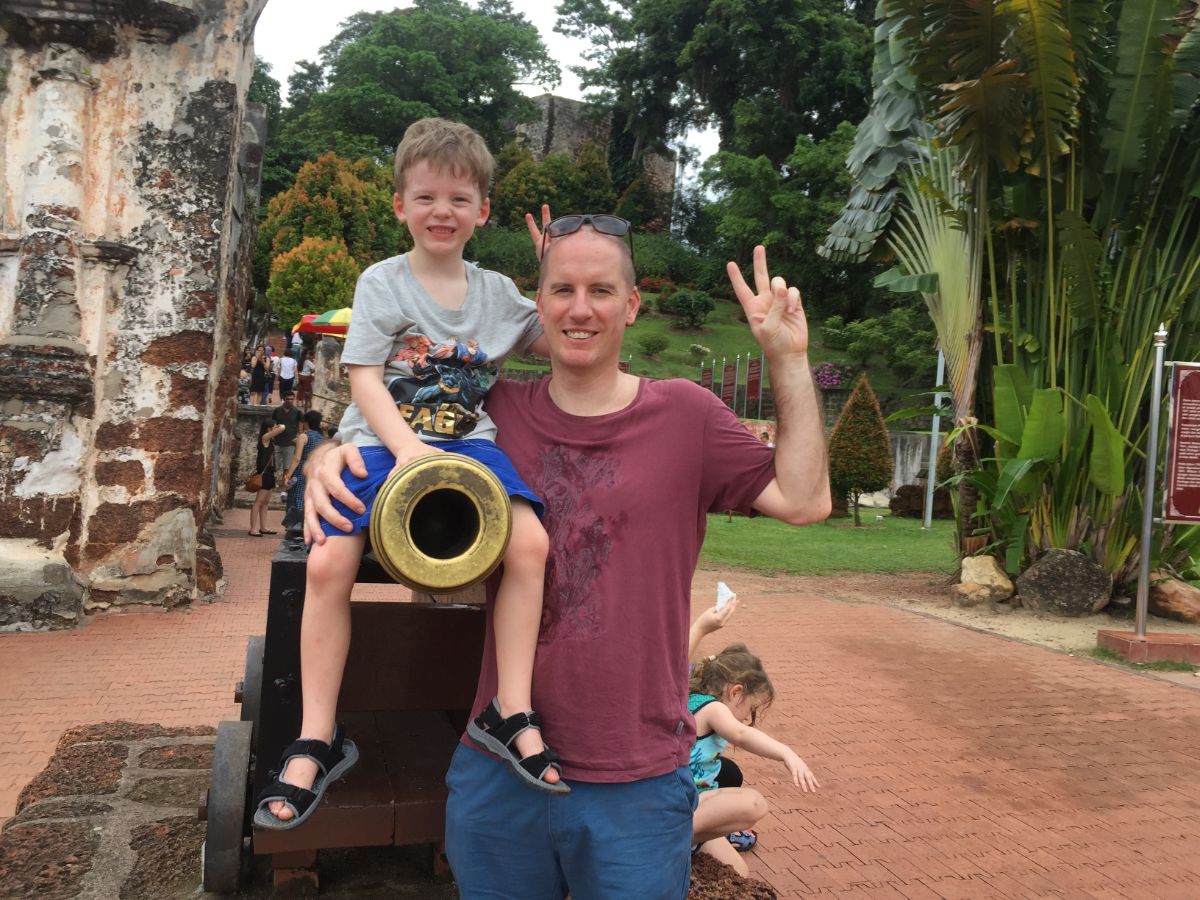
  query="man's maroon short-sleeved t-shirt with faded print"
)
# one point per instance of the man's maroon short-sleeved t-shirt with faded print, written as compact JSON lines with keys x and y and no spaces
{"x":627,"y":497}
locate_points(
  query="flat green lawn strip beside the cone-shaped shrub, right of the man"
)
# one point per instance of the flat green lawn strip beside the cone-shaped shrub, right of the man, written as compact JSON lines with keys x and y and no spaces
{"x":895,"y":545}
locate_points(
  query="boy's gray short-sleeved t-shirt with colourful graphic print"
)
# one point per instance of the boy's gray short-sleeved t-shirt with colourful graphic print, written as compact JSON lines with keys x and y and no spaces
{"x":439,"y":363}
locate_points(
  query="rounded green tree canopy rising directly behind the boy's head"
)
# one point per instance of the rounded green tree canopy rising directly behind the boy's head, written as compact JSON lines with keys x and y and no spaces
{"x":386,"y":70}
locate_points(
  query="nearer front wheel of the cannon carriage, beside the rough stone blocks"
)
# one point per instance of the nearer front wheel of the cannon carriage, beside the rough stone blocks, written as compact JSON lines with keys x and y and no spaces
{"x":226,"y":808}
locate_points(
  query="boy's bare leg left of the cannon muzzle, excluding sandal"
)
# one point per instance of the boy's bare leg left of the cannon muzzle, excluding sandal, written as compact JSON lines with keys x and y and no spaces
{"x":325,"y":644}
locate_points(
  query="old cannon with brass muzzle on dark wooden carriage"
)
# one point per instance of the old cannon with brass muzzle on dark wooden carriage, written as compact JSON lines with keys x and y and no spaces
{"x":440,"y":526}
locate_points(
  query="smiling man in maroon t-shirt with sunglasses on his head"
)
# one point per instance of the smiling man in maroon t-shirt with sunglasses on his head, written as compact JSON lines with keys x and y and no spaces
{"x":628,"y":469}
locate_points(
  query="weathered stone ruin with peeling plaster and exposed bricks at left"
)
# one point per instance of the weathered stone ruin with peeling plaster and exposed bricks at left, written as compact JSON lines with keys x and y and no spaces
{"x":129,"y":175}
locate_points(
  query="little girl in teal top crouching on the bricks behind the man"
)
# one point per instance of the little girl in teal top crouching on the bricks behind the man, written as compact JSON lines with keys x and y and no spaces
{"x":728,"y":692}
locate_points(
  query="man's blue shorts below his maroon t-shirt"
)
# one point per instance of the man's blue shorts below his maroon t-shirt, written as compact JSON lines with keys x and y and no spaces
{"x":601,"y":842}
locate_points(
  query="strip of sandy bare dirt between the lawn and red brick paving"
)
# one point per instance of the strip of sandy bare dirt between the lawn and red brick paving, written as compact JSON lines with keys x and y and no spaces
{"x":928,"y":595}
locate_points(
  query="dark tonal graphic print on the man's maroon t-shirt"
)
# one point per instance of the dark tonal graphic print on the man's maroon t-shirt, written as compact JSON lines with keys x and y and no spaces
{"x":581,"y":537}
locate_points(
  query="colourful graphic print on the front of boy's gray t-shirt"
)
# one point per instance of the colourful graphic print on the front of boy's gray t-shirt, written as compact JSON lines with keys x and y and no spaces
{"x":441,"y":385}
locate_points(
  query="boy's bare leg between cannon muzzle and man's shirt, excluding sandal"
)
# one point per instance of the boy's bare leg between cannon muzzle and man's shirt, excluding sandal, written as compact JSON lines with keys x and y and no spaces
{"x":517,"y":620}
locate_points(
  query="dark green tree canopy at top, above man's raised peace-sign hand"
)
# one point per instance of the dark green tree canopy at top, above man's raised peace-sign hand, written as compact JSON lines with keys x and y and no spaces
{"x":764,"y":70}
